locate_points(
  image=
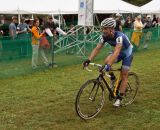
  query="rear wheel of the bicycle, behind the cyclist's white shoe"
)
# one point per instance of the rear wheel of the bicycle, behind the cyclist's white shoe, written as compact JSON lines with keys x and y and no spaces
{"x":131,"y":90}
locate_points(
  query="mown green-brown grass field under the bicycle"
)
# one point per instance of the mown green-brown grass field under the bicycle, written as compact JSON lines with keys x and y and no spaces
{"x":45,"y":100}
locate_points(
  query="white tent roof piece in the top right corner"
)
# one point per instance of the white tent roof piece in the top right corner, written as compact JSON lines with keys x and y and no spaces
{"x":151,"y":7}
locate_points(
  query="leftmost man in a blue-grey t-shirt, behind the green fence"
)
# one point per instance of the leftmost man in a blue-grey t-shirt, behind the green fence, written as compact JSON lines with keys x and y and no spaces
{"x":12,"y":28}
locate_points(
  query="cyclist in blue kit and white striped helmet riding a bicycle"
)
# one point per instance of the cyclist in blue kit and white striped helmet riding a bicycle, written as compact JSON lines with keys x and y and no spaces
{"x":122,"y":51}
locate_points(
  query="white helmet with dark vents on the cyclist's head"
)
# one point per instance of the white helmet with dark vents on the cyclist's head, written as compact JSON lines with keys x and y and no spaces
{"x":108,"y":22}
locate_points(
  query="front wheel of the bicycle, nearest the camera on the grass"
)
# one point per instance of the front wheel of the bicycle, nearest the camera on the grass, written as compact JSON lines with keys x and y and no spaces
{"x":90,"y":99}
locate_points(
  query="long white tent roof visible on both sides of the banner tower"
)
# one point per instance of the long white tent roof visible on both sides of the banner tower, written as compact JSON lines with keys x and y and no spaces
{"x":63,"y":7}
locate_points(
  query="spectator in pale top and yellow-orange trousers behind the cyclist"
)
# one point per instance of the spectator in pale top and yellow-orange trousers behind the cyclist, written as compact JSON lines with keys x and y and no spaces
{"x":137,"y":33}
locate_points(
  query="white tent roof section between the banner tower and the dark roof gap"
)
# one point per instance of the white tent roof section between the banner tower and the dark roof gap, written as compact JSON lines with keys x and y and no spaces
{"x":114,"y":6}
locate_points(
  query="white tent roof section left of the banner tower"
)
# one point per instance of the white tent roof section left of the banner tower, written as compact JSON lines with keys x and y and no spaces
{"x":38,"y":6}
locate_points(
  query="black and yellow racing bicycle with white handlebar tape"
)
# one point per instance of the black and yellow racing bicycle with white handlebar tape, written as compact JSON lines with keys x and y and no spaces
{"x":90,"y":97}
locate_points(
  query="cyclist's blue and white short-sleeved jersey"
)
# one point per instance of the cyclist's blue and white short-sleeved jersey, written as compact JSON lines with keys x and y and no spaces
{"x":119,"y":38}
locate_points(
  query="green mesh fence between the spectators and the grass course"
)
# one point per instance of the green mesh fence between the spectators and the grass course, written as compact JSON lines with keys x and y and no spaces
{"x":15,"y":55}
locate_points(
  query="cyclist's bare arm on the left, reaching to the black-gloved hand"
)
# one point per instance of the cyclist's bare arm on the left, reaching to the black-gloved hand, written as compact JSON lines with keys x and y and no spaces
{"x":95,"y":51}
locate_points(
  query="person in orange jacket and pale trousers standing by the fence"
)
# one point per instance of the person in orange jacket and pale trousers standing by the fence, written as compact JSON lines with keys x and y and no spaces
{"x":35,"y":45}
